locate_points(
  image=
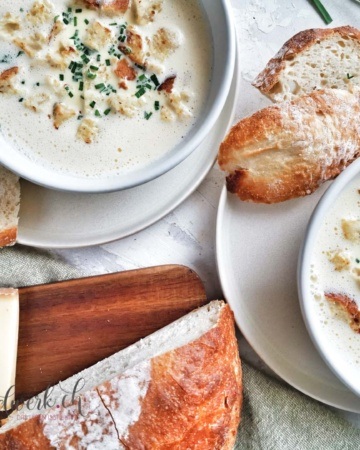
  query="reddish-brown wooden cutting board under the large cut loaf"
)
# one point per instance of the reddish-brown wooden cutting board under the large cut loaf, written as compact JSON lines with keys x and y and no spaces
{"x":68,"y":326}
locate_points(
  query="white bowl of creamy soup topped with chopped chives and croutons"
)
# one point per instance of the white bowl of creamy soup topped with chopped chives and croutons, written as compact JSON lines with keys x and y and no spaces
{"x":98,"y":96}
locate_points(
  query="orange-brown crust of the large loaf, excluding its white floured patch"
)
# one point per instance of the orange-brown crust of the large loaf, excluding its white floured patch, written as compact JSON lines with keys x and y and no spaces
{"x":193,"y":401}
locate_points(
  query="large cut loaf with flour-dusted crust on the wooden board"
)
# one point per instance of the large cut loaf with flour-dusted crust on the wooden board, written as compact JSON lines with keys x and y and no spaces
{"x":180,"y":388}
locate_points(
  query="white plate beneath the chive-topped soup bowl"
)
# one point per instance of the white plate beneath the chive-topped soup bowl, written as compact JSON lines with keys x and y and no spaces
{"x":64,"y":220}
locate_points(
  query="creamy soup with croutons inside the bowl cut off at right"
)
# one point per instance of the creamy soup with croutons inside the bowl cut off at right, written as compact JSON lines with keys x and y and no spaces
{"x":335,"y":278}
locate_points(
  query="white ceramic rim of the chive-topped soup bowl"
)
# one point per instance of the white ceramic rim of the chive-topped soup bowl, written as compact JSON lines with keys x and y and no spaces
{"x":224,"y":44}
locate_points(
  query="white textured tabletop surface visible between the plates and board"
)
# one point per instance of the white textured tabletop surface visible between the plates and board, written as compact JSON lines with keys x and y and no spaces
{"x":187,"y":235}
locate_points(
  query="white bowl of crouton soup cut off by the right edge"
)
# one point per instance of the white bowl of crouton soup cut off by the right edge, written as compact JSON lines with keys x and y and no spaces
{"x":329,"y":277}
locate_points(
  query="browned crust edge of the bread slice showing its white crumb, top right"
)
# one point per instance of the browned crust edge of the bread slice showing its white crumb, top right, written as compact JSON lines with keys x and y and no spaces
{"x":269,"y":77}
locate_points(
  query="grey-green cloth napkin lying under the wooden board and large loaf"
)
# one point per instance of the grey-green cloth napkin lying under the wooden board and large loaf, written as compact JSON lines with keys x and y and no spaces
{"x":274,"y":417}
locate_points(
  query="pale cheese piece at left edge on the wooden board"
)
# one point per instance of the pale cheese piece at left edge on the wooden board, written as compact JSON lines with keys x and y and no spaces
{"x":9,"y":331}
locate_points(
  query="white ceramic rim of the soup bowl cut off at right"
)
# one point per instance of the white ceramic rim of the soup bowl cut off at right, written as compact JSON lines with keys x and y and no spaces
{"x":315,"y":222}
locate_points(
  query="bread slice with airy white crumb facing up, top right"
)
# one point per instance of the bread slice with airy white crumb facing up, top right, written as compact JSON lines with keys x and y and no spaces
{"x":313,"y":59}
